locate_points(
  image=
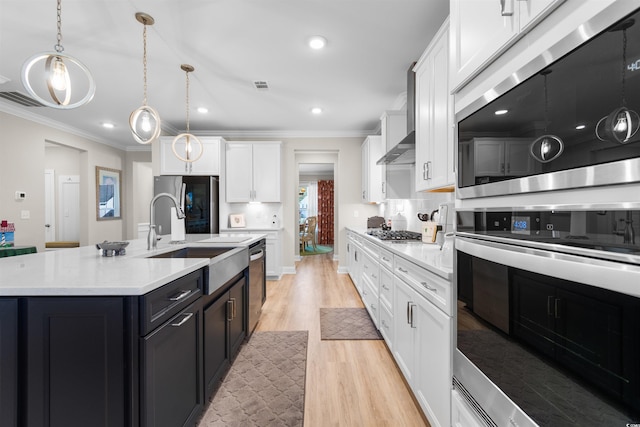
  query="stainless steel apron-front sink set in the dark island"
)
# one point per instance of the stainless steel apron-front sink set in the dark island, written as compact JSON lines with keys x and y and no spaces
{"x":224,"y":263}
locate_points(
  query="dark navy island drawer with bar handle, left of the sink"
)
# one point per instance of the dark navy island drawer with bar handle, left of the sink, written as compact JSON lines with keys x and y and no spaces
{"x":158,"y":306}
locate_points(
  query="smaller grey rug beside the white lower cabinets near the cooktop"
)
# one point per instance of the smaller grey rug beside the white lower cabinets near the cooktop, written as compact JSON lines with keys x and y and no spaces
{"x":347,"y":324}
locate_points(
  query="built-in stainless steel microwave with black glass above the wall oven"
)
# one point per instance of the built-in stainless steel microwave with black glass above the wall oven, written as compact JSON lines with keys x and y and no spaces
{"x":573,"y":123}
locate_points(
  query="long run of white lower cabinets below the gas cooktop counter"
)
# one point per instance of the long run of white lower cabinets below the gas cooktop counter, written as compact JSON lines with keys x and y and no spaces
{"x":412,"y":308}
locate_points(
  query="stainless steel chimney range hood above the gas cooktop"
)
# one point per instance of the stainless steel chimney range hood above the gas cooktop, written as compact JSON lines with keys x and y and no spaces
{"x":404,"y":153}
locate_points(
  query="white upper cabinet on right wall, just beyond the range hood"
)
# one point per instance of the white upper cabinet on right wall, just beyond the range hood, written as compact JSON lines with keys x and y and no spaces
{"x":372,"y":174}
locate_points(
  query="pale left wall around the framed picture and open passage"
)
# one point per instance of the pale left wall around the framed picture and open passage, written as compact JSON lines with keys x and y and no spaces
{"x":22,"y":144}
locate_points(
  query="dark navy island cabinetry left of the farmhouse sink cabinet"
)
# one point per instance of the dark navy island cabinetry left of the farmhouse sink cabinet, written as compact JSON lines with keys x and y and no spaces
{"x":104,"y":360}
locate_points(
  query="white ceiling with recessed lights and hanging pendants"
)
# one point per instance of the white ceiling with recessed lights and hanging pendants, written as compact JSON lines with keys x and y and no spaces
{"x":231,"y":43}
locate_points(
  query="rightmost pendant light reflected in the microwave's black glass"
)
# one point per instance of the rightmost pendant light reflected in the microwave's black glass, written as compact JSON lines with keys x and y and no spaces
{"x":621,"y":124}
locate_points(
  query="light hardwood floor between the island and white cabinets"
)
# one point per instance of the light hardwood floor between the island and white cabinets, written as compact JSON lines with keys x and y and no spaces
{"x":349,"y":383}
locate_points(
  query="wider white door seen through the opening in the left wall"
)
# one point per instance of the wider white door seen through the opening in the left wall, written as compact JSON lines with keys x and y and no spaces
{"x":69,"y":208}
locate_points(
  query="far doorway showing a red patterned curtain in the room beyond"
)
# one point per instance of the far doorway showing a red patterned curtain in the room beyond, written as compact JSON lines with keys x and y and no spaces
{"x":316,"y":208}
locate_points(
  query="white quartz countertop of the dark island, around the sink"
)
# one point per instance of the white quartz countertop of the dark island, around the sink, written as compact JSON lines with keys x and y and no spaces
{"x":85,"y":272}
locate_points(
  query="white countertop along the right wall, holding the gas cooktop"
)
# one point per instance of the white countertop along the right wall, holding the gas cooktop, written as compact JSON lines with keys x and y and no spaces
{"x":426,"y":255}
